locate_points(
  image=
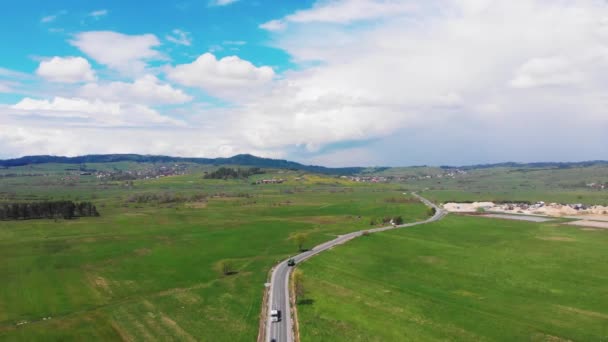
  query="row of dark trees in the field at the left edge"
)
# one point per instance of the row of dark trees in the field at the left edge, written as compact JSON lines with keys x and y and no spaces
{"x":46,"y":210}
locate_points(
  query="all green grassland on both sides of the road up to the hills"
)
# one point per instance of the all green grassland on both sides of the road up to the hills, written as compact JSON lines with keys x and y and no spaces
{"x":148,"y":271}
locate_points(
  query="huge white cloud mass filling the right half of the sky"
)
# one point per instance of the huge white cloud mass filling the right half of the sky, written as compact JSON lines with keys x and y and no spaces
{"x":422,"y":69}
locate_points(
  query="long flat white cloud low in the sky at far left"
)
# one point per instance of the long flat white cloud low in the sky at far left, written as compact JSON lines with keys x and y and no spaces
{"x":97,"y":113}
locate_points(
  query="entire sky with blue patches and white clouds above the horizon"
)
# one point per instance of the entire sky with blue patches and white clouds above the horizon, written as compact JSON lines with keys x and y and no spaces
{"x":333,"y":82}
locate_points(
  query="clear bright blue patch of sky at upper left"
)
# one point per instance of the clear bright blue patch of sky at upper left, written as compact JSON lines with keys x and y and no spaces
{"x":209,"y":26}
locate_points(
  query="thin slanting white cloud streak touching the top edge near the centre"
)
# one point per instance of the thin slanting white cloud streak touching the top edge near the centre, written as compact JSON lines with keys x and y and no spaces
{"x":343,"y":12}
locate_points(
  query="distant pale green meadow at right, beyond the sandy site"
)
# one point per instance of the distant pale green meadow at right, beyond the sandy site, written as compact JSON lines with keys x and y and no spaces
{"x":548,"y":184}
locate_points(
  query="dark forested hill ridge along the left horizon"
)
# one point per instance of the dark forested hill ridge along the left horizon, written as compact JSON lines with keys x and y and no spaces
{"x":241,"y":159}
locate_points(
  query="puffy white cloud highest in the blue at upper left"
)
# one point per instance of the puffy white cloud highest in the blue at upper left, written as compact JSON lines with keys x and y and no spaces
{"x":126,"y":53}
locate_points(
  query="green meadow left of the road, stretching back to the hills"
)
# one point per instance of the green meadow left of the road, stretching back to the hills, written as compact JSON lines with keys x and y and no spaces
{"x":149,"y":271}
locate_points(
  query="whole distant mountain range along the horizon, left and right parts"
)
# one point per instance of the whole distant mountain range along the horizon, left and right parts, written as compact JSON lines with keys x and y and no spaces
{"x":253,"y":161}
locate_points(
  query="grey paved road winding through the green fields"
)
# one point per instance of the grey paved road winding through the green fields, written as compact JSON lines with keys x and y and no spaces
{"x":279,"y":284}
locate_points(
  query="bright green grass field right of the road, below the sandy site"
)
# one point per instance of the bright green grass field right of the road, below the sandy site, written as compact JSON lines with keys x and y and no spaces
{"x":461,"y":279}
